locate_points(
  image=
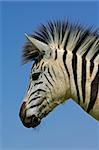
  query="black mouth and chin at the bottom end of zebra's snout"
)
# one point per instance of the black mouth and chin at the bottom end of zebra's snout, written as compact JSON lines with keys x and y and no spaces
{"x":31,"y":122}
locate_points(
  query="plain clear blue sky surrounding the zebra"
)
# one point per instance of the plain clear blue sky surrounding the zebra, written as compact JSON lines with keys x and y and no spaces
{"x":68,"y":127}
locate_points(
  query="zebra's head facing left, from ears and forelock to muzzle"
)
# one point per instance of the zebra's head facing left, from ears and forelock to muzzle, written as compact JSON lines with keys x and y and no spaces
{"x":48,"y":86}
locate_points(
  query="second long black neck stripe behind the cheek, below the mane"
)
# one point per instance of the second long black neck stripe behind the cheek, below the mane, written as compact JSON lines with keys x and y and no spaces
{"x":74,"y":66}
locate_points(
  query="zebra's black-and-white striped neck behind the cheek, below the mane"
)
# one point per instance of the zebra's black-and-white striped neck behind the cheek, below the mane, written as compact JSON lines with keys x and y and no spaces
{"x":84,"y":82}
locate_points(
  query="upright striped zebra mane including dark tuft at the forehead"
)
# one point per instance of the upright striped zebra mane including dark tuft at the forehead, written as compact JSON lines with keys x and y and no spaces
{"x":62,"y":35}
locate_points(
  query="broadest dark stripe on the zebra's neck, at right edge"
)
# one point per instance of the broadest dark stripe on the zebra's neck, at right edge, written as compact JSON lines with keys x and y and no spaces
{"x":94,"y":91}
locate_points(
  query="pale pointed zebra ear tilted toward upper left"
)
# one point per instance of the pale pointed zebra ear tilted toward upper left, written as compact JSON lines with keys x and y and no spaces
{"x":42,"y":47}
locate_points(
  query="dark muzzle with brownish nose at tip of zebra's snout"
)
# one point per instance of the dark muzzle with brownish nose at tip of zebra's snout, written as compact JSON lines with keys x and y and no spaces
{"x":31,"y":121}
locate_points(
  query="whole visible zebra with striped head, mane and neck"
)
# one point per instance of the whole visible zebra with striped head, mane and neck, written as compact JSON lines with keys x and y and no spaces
{"x":65,"y":66}
